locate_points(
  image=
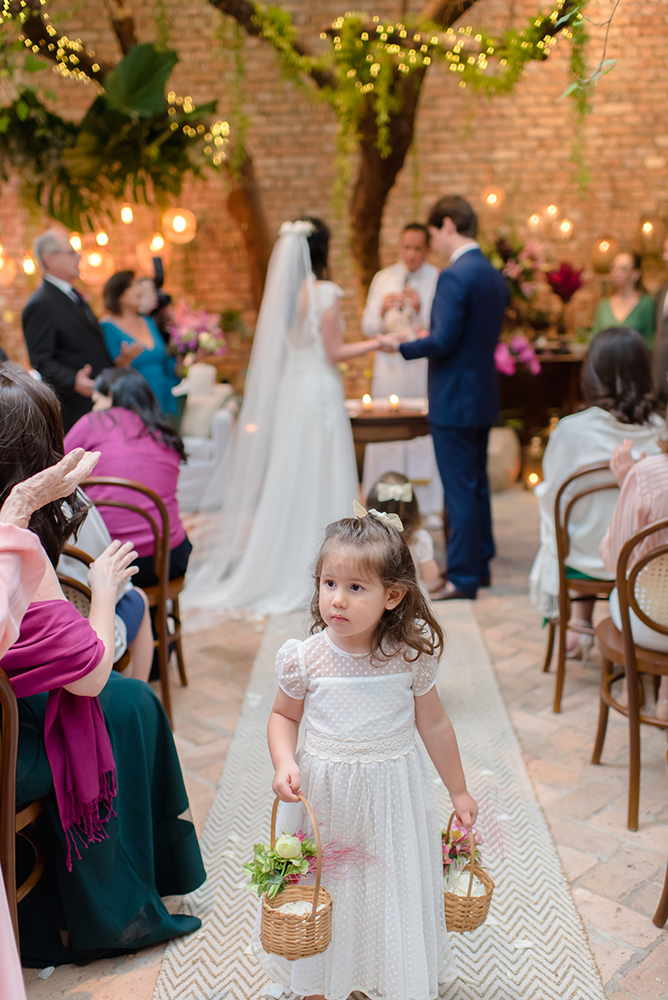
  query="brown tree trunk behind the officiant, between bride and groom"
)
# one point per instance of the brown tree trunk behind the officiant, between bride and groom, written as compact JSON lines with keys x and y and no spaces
{"x":376,"y":177}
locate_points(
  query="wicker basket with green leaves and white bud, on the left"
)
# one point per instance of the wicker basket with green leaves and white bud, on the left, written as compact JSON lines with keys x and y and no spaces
{"x":289,"y":934}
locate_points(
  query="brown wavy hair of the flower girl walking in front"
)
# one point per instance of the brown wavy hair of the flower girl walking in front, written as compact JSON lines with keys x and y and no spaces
{"x":380,"y":550}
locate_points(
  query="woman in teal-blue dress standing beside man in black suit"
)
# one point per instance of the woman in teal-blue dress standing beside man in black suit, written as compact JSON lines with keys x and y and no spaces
{"x":134,"y":339}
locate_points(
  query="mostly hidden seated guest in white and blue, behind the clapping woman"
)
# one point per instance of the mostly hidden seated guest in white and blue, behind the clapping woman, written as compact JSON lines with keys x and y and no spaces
{"x":133,"y":622}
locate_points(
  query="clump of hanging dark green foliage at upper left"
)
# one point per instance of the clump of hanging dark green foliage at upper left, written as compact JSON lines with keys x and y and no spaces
{"x":132,"y":142}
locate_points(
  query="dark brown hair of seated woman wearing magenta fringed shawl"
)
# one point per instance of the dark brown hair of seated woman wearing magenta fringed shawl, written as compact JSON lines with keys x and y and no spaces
{"x":31,"y":439}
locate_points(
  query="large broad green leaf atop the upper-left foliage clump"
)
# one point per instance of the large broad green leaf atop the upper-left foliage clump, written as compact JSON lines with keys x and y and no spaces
{"x":137,"y":85}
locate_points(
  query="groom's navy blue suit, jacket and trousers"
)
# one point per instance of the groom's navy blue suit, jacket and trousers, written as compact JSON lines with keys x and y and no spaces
{"x":466,"y":319}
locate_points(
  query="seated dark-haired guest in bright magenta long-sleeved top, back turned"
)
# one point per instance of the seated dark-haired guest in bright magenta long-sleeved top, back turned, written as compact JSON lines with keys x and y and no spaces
{"x":135,"y":442}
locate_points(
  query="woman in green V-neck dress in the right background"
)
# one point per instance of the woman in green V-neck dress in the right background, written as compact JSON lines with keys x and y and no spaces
{"x":630,"y":304}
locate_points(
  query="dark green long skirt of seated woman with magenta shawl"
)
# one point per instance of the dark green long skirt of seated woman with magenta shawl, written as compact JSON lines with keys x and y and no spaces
{"x":111,"y":902}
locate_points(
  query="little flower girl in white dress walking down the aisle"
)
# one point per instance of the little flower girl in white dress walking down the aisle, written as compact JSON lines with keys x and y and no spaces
{"x":364,"y":681}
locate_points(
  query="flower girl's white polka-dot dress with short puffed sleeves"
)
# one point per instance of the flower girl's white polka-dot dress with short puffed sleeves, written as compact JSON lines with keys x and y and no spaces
{"x":369,"y":786}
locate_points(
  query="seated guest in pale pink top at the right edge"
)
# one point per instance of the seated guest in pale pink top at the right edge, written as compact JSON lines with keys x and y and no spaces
{"x":643,"y":499}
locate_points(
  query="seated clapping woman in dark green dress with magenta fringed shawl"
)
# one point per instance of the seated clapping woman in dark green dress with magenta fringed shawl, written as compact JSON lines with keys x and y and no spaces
{"x":95,"y":745}
